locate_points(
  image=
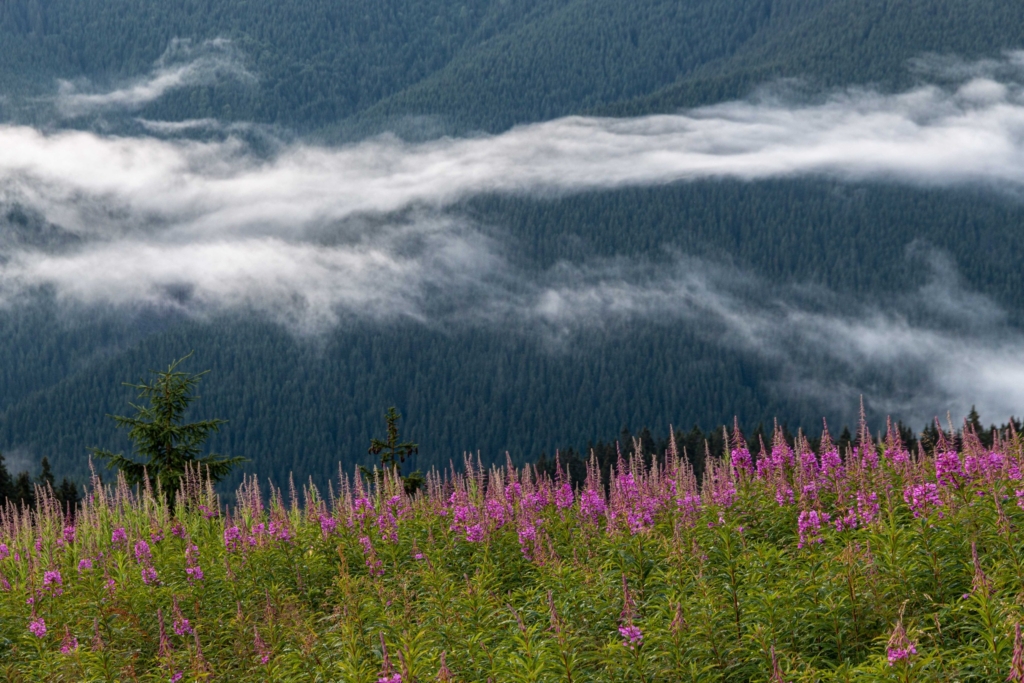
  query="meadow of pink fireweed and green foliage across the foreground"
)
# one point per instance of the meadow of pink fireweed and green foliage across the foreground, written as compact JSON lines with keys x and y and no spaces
{"x":781,"y":565}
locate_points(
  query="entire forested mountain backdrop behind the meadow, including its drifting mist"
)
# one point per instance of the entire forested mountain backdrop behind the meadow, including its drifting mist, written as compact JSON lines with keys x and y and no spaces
{"x":527,"y":226}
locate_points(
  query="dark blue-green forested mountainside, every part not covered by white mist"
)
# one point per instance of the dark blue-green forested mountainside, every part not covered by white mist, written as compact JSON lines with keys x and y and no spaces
{"x":328,"y":71}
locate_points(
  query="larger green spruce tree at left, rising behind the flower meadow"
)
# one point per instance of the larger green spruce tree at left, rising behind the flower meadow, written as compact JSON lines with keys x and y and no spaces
{"x":159,"y":435}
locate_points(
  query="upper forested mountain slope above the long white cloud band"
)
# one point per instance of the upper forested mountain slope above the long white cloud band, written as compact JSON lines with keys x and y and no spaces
{"x":347,"y":68}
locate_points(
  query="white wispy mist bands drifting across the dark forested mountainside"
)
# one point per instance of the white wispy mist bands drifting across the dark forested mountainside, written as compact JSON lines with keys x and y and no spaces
{"x":316,"y":236}
